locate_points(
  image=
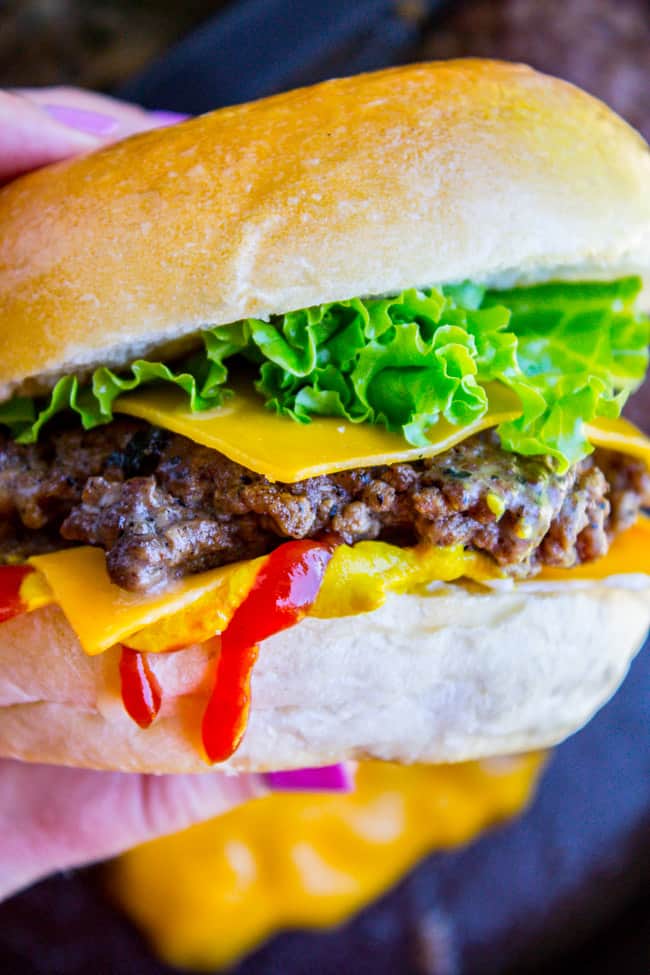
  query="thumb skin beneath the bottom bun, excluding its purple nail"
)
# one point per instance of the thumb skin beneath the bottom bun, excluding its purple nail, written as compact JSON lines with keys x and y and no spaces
{"x":55,"y":818}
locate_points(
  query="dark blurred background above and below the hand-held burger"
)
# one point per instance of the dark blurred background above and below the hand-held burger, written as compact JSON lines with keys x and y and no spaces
{"x":566,"y":889}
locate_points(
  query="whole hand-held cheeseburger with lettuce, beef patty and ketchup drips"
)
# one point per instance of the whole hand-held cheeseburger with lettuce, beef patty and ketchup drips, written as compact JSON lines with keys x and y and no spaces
{"x":312,"y":447}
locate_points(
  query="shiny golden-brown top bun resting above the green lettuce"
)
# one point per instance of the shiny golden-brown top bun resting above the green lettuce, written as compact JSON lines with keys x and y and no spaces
{"x":416,"y":175}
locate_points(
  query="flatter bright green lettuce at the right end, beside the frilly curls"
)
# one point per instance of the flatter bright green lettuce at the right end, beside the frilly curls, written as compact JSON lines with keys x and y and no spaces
{"x":581,"y":350}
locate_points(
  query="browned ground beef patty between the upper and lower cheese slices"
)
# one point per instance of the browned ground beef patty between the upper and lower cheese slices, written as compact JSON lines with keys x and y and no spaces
{"x":162,"y":506}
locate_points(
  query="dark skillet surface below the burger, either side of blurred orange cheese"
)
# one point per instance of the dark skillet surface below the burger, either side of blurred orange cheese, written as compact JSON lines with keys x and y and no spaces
{"x":517,"y":897}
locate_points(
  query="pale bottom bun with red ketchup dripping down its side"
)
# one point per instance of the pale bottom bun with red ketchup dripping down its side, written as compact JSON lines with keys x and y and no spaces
{"x":442,"y":677}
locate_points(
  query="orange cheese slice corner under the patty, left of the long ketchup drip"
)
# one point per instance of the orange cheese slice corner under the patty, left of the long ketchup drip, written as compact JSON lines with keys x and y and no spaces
{"x":101,"y":614}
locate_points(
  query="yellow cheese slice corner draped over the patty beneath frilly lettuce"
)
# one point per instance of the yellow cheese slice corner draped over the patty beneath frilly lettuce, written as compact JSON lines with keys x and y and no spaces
{"x":284,"y":450}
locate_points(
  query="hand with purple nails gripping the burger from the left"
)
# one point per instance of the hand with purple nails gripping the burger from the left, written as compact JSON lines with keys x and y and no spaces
{"x":55,"y":818}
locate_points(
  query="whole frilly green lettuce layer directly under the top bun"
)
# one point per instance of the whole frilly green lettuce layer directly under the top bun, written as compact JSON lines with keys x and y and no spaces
{"x":571,"y":351}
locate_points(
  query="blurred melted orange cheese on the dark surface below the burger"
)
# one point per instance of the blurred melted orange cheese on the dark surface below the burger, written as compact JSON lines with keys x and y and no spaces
{"x":209,"y":895}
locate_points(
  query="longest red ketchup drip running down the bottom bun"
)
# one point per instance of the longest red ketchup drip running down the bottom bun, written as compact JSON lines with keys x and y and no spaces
{"x":284,"y":590}
